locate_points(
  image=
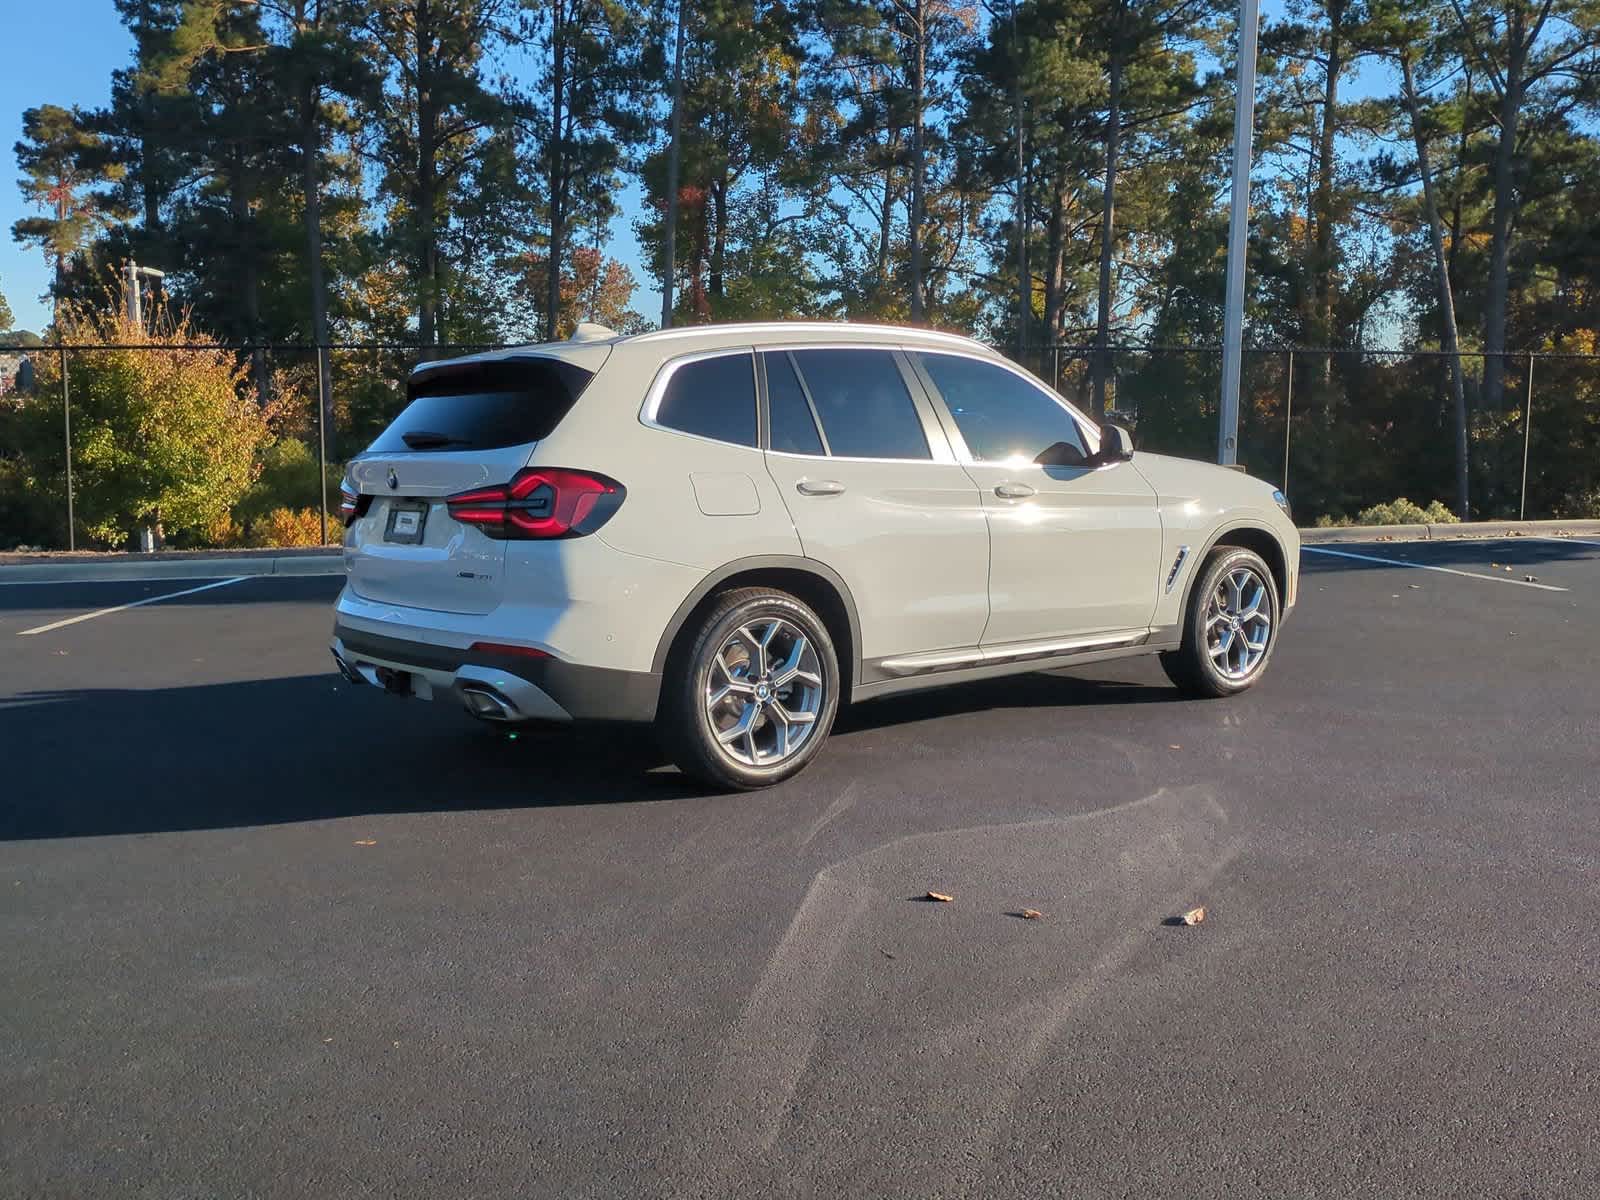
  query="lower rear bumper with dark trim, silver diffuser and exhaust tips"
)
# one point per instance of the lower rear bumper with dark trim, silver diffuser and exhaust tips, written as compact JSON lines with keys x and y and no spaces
{"x":497,"y":687}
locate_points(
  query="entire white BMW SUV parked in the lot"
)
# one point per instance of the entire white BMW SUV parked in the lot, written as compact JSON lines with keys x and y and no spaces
{"x":732,"y":530}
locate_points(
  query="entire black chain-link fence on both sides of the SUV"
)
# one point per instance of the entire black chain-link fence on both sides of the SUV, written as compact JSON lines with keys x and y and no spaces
{"x":1338,"y":430}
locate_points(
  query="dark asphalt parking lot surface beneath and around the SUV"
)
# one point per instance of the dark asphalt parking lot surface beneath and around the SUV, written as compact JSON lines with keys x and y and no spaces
{"x":263,"y":934}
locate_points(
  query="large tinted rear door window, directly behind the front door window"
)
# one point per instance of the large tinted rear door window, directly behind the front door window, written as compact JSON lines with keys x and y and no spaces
{"x":863,"y":402}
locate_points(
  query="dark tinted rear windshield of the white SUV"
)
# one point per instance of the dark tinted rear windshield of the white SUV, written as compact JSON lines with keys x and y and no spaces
{"x":484,"y":406}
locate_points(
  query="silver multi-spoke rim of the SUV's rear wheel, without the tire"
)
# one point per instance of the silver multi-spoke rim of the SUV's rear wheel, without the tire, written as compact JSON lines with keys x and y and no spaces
{"x":764,"y":692}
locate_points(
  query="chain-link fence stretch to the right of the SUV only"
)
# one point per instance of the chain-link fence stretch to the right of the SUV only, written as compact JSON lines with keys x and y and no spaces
{"x":1343,"y":431}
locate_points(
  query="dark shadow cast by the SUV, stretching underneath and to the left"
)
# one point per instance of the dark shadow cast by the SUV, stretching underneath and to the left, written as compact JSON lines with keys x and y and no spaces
{"x":313,"y":748}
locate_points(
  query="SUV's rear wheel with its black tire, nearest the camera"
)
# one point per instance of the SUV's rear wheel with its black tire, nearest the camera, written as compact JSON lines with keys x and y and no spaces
{"x":686,"y":721}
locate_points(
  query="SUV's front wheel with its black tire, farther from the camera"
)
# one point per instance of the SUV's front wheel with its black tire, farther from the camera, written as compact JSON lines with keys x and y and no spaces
{"x":1231,"y":626}
